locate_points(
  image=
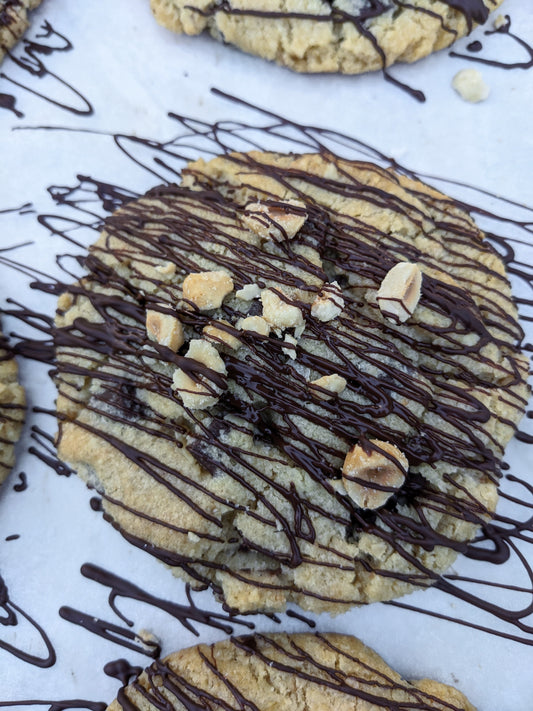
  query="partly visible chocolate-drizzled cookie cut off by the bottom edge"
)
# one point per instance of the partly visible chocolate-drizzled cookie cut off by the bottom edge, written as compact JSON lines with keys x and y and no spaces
{"x":300,"y":672}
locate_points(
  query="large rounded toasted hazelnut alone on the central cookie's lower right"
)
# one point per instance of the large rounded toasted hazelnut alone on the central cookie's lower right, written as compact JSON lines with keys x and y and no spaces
{"x":371,"y":477}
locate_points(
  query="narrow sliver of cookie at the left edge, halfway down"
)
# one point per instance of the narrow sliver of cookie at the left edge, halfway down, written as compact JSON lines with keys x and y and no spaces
{"x":12,"y":405}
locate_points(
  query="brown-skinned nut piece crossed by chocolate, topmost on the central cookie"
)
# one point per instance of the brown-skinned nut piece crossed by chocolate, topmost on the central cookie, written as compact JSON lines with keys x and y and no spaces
{"x":275,"y":222}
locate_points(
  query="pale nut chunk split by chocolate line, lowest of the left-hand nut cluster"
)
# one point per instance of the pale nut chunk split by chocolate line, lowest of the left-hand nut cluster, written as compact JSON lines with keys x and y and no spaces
{"x":200,"y":391}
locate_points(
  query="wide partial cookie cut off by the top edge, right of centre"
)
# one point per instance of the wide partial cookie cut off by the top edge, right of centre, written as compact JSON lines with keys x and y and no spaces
{"x":349,"y":36}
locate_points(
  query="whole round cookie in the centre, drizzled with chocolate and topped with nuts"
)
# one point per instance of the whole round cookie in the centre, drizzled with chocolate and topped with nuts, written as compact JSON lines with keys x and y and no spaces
{"x":282,"y":453}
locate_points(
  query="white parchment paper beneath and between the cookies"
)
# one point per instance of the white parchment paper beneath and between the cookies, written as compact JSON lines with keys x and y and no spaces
{"x":133,"y":73}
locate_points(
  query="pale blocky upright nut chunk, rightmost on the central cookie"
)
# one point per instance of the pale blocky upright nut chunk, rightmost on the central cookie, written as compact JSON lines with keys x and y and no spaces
{"x":399,"y":292}
